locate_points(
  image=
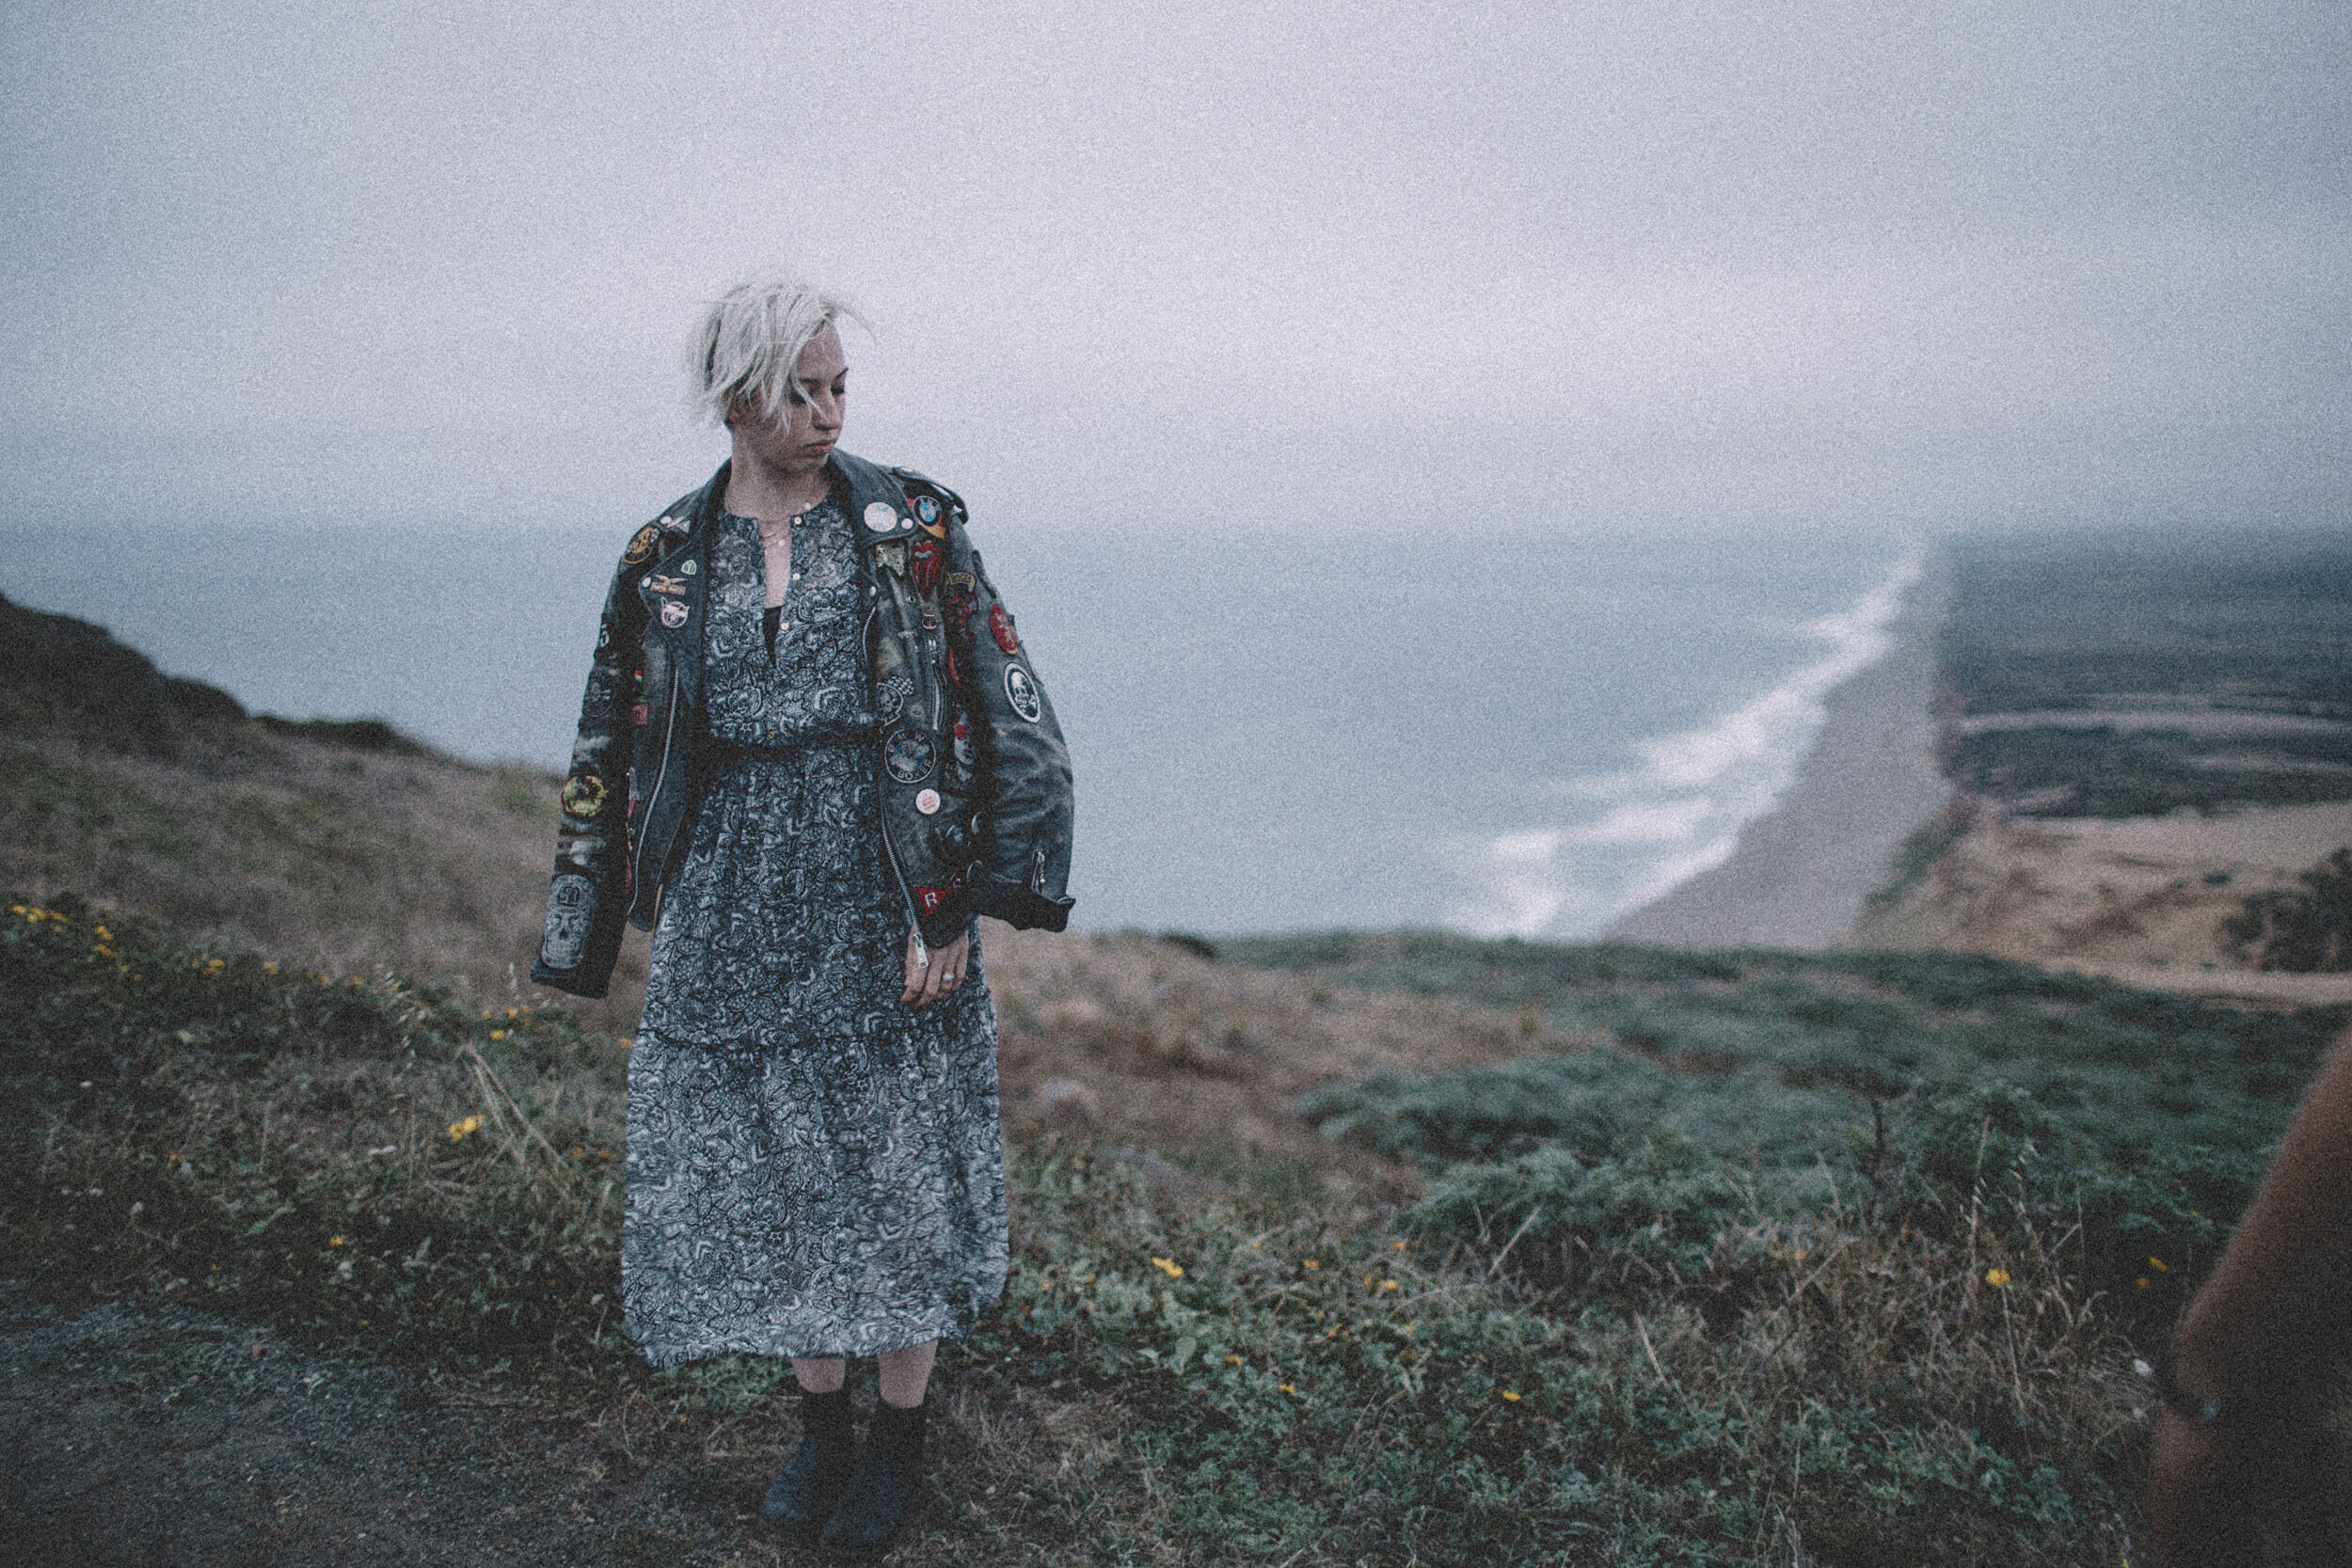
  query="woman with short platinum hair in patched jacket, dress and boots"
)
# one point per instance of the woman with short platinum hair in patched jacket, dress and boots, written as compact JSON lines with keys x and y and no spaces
{"x":815,"y":746}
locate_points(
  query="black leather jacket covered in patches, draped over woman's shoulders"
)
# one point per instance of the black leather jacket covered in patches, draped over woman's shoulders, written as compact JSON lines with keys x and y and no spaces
{"x":973,"y":770}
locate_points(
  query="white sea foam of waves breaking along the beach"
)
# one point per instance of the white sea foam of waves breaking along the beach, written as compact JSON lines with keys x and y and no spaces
{"x":1648,"y":829}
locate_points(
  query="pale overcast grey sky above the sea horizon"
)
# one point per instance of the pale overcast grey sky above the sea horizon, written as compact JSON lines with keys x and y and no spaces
{"x":1224,"y":260}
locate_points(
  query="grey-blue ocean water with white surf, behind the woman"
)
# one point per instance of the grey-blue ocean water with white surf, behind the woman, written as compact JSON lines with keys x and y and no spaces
{"x":1504,"y":732}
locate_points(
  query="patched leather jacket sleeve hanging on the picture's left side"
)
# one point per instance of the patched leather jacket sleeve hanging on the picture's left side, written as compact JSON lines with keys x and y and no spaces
{"x":589,"y":892}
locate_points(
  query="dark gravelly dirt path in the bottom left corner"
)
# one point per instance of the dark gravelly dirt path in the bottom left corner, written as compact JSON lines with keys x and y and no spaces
{"x":168,"y":1440}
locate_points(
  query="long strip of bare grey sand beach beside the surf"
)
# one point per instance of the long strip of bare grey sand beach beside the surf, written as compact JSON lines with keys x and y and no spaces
{"x":1803,"y":873}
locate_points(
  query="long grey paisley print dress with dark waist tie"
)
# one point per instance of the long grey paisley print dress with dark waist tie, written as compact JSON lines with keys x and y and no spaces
{"x":815,"y":1170}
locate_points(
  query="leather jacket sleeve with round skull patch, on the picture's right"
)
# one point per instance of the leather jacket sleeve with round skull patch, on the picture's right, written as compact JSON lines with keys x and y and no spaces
{"x":1022,"y":873}
